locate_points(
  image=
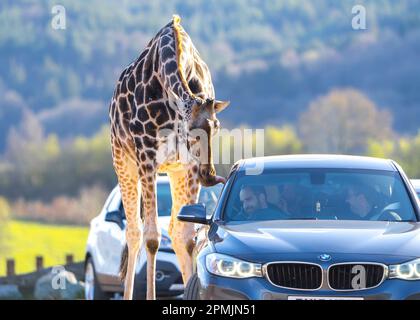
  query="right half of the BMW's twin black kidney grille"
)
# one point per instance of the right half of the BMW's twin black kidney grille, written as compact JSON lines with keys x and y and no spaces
{"x":340,"y":277}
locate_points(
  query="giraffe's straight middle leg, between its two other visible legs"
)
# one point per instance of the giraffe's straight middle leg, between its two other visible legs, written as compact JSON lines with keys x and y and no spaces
{"x":152,"y":232}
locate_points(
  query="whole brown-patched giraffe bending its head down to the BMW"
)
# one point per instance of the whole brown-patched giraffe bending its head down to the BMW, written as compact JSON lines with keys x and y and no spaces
{"x":168,"y":87}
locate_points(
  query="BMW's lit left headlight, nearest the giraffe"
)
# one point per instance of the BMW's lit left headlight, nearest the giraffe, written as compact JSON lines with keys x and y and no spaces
{"x":227,"y":266}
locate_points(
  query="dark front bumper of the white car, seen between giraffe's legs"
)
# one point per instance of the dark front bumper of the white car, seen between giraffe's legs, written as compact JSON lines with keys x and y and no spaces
{"x":168,"y":277}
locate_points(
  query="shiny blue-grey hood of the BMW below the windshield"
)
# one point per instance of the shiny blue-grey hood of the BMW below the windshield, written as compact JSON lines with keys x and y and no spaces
{"x":259,"y":241}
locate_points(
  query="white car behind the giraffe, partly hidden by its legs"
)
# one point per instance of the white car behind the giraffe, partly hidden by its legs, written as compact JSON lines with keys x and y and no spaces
{"x":106,"y":242}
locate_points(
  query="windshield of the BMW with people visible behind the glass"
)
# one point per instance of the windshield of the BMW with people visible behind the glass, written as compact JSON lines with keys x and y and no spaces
{"x":329,"y":194}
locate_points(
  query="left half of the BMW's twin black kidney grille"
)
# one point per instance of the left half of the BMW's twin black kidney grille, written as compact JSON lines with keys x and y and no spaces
{"x":295,"y":275}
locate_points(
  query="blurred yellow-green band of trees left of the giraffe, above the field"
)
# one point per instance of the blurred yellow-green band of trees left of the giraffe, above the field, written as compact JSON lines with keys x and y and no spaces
{"x":39,"y":167}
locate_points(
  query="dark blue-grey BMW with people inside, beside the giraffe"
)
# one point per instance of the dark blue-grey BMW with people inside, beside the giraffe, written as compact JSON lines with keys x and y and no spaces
{"x":309,"y":227}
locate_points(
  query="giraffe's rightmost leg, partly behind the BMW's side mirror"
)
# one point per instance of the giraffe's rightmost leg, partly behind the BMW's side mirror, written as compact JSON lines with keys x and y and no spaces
{"x":184,"y":190}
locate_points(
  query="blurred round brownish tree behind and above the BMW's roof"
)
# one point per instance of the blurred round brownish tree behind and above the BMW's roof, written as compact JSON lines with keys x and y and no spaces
{"x":343,"y":121}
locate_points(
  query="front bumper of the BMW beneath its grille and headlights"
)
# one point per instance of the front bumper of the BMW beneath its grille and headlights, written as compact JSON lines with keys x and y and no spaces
{"x":221,"y":288}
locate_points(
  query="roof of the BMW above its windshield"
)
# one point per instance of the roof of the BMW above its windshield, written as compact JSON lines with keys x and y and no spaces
{"x":318,"y":161}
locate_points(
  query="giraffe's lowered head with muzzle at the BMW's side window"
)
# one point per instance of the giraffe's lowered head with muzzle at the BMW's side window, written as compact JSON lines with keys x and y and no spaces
{"x":202,"y":126}
